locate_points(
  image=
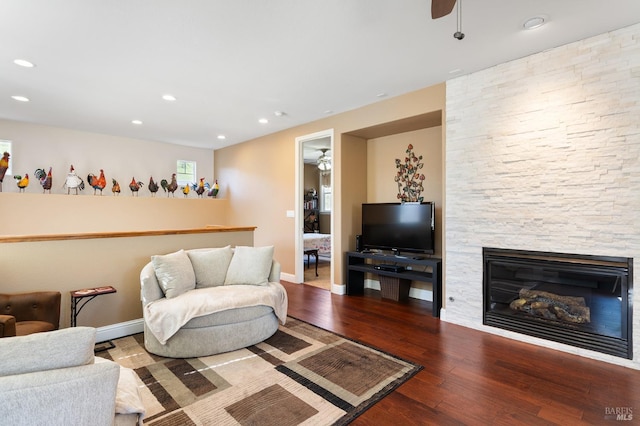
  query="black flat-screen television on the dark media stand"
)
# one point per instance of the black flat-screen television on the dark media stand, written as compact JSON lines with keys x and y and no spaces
{"x":399,"y":227}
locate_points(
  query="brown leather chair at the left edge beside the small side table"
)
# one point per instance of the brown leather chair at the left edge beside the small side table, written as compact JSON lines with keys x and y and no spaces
{"x":27,"y":313}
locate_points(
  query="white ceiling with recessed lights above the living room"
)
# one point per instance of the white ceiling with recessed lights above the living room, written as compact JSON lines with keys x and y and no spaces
{"x":101,"y":64}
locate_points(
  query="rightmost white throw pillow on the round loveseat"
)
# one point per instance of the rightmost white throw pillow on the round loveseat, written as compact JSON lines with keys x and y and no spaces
{"x":250,"y":265}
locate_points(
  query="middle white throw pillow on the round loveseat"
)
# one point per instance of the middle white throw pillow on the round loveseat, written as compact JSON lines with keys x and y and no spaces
{"x":210,"y":265}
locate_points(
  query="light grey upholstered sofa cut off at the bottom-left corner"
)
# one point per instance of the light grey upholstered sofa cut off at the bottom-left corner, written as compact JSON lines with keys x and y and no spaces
{"x":53,"y":378}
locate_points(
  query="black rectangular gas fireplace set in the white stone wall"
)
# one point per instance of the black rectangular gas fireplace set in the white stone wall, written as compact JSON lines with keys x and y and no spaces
{"x":579,"y":300}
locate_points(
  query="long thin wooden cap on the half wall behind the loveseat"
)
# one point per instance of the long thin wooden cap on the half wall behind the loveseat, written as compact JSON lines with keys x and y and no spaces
{"x":97,"y":235}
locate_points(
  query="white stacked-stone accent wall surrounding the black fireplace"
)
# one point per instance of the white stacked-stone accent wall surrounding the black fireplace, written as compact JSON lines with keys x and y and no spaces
{"x":543,"y":153}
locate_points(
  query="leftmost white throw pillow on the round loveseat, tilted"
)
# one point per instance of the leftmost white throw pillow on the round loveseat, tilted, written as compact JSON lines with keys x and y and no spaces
{"x":174,"y":272}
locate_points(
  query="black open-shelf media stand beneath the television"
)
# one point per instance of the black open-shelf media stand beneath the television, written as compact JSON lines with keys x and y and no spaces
{"x":361,"y":263}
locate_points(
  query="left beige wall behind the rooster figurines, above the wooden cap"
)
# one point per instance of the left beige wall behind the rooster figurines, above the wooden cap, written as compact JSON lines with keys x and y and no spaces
{"x":37,"y":146}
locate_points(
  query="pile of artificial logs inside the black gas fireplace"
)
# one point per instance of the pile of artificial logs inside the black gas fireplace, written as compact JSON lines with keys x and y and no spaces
{"x":552,"y":306}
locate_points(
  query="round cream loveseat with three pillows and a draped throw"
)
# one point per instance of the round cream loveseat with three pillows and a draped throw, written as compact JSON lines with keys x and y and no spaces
{"x":202,"y":302}
